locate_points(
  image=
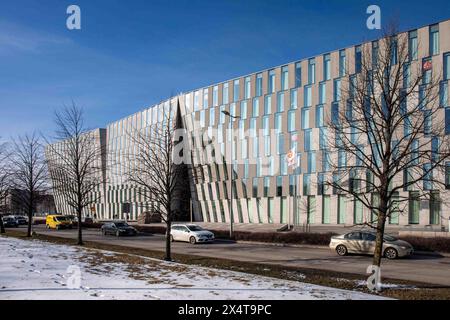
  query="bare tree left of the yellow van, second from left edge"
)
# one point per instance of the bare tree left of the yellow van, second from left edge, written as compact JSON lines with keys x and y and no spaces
{"x":29,"y":173}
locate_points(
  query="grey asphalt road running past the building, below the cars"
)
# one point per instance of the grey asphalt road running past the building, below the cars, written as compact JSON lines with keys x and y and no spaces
{"x":422,"y":268}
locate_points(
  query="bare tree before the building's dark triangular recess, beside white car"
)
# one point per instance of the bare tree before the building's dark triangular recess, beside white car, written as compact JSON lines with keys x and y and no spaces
{"x":158,"y":179}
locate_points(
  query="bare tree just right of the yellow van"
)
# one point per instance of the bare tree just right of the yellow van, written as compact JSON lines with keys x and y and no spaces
{"x":75,"y":162}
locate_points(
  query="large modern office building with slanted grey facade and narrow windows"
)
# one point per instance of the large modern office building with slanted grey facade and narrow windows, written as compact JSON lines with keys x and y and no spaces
{"x":291,"y":100}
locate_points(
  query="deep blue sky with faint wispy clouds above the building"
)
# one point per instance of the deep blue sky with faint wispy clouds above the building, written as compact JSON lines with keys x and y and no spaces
{"x":132,"y":54}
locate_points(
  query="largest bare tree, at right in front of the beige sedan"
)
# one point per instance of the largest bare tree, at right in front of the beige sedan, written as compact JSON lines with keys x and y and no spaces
{"x":387,"y":132}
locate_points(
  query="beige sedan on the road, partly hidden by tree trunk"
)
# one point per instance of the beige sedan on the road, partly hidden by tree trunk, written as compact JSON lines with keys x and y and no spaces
{"x":363,"y":242}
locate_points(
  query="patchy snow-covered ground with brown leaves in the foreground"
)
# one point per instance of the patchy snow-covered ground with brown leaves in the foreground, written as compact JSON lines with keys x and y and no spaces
{"x":41,"y":270}
